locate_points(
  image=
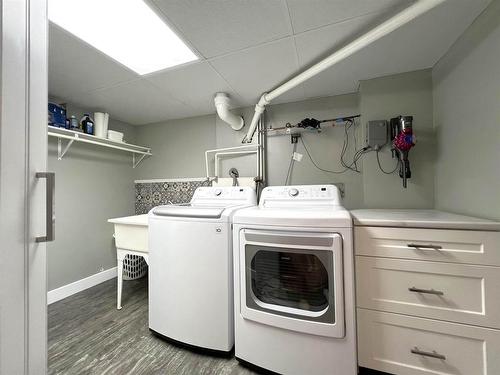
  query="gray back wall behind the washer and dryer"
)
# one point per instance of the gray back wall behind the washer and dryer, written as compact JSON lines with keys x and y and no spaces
{"x":179,"y":146}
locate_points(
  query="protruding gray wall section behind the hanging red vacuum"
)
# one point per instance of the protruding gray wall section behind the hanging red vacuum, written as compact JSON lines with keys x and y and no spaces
{"x":387,"y":97}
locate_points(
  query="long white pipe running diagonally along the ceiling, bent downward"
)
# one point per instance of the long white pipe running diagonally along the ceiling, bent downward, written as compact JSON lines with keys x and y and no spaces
{"x":400,"y":19}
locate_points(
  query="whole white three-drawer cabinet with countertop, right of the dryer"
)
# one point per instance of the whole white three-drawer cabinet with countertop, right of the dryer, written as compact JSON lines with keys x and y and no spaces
{"x":427,"y":292}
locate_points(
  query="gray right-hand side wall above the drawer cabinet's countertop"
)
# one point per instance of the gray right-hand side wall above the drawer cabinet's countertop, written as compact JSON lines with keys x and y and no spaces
{"x":467,"y":120}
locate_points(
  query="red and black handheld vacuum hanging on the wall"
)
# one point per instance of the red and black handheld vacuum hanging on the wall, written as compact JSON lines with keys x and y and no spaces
{"x":402,"y":141}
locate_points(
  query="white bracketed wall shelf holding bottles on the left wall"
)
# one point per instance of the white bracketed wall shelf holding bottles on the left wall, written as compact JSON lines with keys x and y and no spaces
{"x":138,"y":152}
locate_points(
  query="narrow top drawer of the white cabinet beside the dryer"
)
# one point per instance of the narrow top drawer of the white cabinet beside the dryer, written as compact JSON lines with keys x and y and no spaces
{"x":440,"y":245}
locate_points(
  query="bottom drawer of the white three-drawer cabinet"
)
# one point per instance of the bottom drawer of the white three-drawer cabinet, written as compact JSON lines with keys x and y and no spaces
{"x":405,"y":345}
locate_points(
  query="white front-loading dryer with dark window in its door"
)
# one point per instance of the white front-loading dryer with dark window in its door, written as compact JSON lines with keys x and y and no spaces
{"x":294,"y":282}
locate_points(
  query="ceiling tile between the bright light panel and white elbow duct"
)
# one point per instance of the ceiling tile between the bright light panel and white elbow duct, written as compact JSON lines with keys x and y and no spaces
{"x":195,"y":84}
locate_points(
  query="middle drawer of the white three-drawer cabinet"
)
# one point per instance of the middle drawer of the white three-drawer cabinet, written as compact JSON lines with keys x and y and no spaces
{"x":454,"y":292}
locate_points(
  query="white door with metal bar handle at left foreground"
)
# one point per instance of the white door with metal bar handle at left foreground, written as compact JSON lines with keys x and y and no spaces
{"x":23,"y":153}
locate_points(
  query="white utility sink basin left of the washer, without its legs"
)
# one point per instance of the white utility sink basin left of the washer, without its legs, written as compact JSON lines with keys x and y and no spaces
{"x":131,"y":232}
